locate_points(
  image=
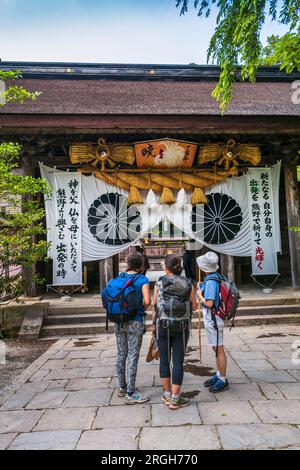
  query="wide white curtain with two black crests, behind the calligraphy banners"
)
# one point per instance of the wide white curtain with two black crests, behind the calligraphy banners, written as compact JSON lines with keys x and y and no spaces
{"x":109,"y":227}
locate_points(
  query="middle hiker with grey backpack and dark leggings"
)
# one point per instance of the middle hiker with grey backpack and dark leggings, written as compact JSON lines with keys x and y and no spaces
{"x":173,"y":303}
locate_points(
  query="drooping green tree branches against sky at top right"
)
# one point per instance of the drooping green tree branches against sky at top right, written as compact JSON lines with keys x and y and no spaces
{"x":236,"y":44}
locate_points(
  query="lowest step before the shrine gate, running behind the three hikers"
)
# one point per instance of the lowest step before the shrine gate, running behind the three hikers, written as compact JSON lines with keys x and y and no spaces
{"x":99,"y":327}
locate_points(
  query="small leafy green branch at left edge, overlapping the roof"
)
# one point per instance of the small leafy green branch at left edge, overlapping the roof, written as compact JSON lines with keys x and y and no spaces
{"x":15,"y":93}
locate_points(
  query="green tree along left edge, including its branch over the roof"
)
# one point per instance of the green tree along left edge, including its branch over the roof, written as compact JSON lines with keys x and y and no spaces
{"x":21,"y":217}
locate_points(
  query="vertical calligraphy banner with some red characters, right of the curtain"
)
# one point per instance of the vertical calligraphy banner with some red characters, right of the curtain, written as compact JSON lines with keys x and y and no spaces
{"x":262,"y":222}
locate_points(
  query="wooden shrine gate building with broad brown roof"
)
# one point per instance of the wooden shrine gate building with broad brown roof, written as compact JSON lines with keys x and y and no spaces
{"x":125,"y":104}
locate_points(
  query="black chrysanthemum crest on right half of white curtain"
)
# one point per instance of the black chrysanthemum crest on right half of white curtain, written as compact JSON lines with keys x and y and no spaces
{"x":218,"y":221}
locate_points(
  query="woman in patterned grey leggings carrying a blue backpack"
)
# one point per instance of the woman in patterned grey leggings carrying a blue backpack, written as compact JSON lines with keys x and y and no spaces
{"x":126,"y":298}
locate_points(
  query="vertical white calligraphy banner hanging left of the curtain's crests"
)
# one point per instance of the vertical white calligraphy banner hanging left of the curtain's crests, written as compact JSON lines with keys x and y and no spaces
{"x":67,"y":266}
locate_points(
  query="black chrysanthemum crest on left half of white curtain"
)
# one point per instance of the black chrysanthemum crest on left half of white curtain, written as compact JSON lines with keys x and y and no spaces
{"x":112,"y":222}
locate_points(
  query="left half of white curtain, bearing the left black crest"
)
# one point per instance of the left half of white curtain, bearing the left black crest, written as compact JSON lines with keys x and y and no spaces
{"x":109,"y":225}
